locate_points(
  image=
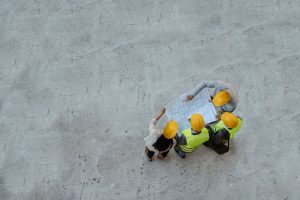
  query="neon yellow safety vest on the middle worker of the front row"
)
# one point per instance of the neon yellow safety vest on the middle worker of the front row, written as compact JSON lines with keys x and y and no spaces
{"x":194,"y":141}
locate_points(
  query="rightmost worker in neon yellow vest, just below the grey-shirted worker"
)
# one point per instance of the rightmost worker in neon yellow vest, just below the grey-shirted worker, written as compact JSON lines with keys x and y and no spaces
{"x":222,"y":131}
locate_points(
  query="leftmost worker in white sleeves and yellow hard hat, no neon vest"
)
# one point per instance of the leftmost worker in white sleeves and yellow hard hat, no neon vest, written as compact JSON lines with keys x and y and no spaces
{"x":160,"y":141}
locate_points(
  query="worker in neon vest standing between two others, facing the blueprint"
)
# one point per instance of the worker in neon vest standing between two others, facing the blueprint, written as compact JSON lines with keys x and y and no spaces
{"x":193,"y":137}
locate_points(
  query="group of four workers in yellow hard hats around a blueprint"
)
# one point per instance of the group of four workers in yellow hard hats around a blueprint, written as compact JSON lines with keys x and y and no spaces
{"x":215,"y":135}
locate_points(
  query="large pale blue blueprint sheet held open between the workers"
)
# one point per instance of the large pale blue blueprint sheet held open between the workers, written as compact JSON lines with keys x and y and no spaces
{"x":181,"y":110}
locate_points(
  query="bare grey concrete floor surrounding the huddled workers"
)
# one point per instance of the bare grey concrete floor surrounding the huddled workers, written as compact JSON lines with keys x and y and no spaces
{"x":80,"y":81}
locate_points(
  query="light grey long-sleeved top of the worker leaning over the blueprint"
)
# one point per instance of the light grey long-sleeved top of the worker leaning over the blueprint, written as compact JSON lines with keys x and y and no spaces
{"x":218,"y":86}
